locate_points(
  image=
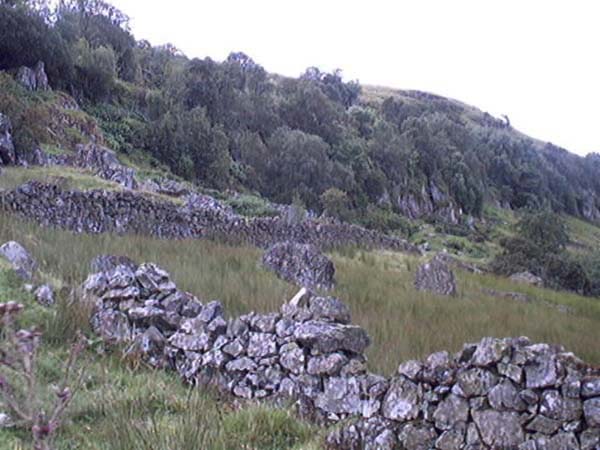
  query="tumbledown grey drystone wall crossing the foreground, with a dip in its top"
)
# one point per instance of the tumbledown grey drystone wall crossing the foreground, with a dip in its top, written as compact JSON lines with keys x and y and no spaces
{"x":496,"y":394}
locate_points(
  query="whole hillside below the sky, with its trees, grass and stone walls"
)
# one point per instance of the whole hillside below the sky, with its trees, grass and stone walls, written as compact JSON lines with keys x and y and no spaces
{"x":204,"y":255}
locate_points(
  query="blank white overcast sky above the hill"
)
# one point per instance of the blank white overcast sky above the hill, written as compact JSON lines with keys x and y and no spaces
{"x":536,"y":61}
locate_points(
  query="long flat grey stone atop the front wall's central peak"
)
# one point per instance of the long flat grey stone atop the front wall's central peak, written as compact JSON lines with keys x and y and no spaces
{"x":328,"y":337}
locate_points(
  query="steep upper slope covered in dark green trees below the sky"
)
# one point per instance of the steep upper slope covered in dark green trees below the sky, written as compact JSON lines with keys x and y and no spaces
{"x":367,"y":154}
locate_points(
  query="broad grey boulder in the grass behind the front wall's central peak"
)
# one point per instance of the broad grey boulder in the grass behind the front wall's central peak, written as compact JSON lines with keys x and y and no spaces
{"x":302,"y":264}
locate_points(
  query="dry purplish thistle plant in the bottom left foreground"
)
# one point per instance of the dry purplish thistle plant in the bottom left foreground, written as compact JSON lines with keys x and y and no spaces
{"x":20,"y":390}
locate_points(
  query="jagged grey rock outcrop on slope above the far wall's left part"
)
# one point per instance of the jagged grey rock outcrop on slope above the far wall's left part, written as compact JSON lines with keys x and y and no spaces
{"x":104,"y":163}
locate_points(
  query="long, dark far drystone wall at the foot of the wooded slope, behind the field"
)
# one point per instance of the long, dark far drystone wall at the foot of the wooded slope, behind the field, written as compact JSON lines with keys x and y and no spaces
{"x":130,"y":212}
